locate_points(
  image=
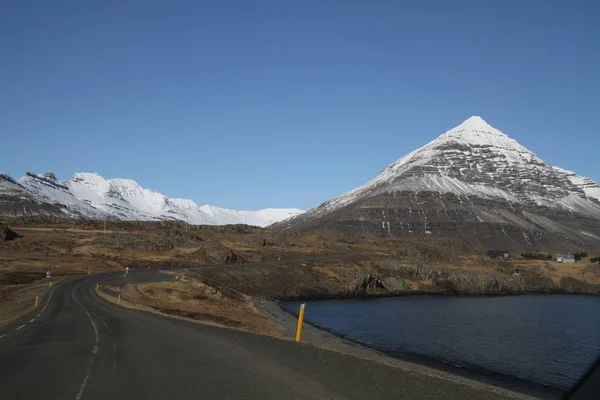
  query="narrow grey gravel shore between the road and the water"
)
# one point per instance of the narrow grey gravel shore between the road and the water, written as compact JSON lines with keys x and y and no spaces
{"x":469,"y":375}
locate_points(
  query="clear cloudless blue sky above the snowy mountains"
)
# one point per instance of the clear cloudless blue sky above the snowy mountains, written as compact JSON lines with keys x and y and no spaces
{"x":254,"y":104}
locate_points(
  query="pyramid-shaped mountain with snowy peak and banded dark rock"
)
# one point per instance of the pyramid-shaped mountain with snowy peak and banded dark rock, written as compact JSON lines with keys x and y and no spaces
{"x":473,"y":182}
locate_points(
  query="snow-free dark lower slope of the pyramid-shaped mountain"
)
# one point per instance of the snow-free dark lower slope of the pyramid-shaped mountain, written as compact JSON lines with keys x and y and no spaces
{"x":483,"y":222}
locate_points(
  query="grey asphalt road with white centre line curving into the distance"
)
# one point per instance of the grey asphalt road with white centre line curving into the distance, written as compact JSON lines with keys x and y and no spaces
{"x":77,"y":345}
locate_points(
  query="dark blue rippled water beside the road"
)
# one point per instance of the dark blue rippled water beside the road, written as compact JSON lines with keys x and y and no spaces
{"x":547,"y":340}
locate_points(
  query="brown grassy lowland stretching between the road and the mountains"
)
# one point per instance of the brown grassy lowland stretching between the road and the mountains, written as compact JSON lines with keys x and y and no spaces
{"x":88,"y":248}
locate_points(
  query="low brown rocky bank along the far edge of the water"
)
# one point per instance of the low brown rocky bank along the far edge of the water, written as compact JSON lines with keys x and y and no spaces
{"x":384,"y":276}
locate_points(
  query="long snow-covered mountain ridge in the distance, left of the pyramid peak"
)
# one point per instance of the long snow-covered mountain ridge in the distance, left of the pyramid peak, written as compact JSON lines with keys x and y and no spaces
{"x":89,"y":195}
